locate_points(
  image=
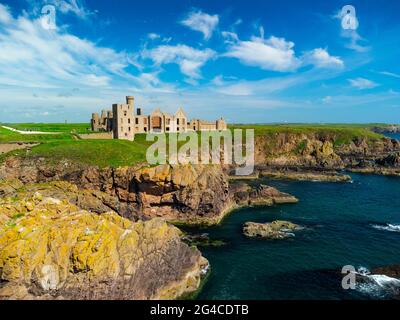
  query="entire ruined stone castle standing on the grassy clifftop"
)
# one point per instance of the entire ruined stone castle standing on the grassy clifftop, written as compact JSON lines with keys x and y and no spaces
{"x":124,"y":122}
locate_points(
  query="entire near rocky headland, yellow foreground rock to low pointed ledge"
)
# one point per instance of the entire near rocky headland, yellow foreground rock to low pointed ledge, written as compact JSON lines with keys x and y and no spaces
{"x":104,"y":234}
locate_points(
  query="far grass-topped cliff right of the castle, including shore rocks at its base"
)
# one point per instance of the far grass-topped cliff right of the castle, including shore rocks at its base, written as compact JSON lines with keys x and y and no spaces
{"x":313,"y":156}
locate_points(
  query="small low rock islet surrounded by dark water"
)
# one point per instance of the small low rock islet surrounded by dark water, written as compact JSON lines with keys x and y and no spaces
{"x":274,"y":230}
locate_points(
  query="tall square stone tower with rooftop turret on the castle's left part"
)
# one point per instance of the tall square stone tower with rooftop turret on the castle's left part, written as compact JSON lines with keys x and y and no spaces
{"x":123,"y":120}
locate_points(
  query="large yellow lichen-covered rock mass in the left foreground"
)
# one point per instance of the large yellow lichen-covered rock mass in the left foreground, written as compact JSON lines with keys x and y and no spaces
{"x":53,"y":249}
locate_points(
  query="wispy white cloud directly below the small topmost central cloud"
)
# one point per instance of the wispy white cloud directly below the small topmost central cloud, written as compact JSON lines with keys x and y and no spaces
{"x":189,"y":59}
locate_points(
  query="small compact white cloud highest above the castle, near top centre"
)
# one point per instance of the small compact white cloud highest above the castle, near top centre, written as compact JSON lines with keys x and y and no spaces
{"x":202,"y":22}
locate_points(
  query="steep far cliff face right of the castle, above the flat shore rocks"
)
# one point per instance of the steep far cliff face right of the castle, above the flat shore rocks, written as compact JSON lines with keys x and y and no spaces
{"x":313,"y":151}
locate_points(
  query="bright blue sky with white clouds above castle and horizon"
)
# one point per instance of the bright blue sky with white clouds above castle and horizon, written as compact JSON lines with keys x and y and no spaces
{"x":248,"y":61}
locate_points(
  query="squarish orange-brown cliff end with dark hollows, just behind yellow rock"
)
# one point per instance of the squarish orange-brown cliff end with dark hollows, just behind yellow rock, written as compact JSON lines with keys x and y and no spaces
{"x":193,"y":194}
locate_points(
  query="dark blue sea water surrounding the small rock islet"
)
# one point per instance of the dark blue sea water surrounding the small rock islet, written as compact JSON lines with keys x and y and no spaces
{"x":339,"y":218}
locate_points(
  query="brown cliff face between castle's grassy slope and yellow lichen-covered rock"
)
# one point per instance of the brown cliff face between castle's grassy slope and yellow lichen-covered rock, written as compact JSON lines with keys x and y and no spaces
{"x":190,"y":194}
